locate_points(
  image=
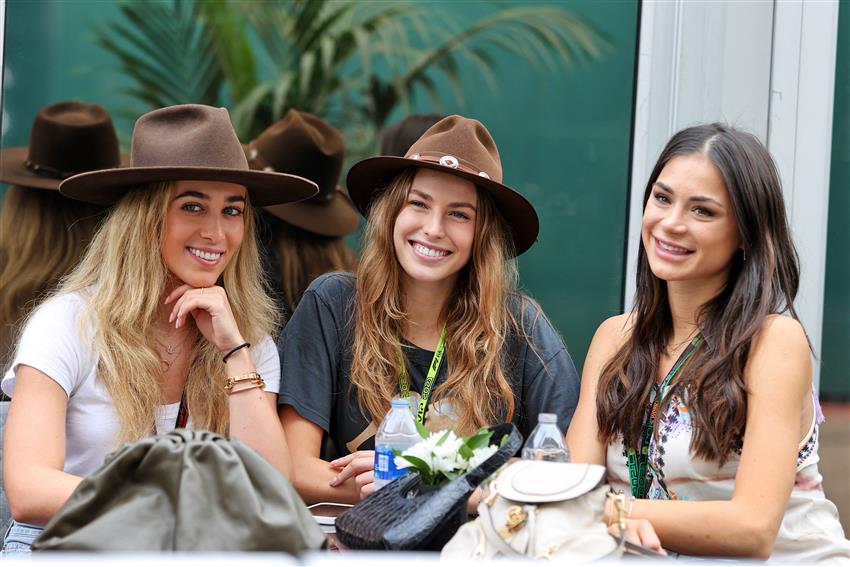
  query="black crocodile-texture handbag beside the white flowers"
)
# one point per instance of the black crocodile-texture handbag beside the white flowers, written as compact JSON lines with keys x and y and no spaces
{"x":407,"y":515}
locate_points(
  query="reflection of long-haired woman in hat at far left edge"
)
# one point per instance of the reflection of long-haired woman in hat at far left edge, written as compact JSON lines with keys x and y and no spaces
{"x":42,"y":233}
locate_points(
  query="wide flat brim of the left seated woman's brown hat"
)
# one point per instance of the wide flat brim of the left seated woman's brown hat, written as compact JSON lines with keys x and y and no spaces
{"x":107,"y":186}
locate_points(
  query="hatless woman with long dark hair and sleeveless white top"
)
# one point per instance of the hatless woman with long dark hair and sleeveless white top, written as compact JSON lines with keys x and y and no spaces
{"x":699,"y":402}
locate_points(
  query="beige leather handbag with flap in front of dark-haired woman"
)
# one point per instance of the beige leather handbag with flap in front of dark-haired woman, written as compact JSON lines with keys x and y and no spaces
{"x":540,"y":510}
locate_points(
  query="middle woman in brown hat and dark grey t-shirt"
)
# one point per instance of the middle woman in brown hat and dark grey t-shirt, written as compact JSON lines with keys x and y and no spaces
{"x":433,"y":309}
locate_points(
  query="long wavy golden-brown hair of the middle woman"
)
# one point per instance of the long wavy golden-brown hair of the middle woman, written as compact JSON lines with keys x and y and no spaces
{"x":478,"y":324}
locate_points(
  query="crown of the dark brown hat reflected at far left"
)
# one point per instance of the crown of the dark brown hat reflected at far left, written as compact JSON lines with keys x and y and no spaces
{"x":70,"y":137}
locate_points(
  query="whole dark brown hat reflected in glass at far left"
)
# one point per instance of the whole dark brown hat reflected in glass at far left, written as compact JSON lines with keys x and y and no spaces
{"x":66,"y":138}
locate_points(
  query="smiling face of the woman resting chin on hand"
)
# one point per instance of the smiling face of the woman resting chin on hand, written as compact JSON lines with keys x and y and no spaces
{"x":203,"y":230}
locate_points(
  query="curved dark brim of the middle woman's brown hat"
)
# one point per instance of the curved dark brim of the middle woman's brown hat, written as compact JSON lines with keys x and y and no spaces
{"x":368,"y":178}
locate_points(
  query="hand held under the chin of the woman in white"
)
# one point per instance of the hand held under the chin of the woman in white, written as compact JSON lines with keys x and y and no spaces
{"x":210,"y":309}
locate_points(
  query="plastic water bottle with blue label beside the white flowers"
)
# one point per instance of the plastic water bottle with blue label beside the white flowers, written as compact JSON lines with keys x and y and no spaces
{"x":397,"y":431}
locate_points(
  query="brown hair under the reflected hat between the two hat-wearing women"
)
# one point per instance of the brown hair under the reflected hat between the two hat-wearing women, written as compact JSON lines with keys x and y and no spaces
{"x":296,"y":257}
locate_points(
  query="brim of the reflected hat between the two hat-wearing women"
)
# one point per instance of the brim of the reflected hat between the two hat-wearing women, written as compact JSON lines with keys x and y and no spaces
{"x":335,"y":218}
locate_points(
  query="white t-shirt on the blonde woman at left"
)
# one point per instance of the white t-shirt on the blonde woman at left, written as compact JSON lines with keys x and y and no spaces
{"x":55,"y":343}
